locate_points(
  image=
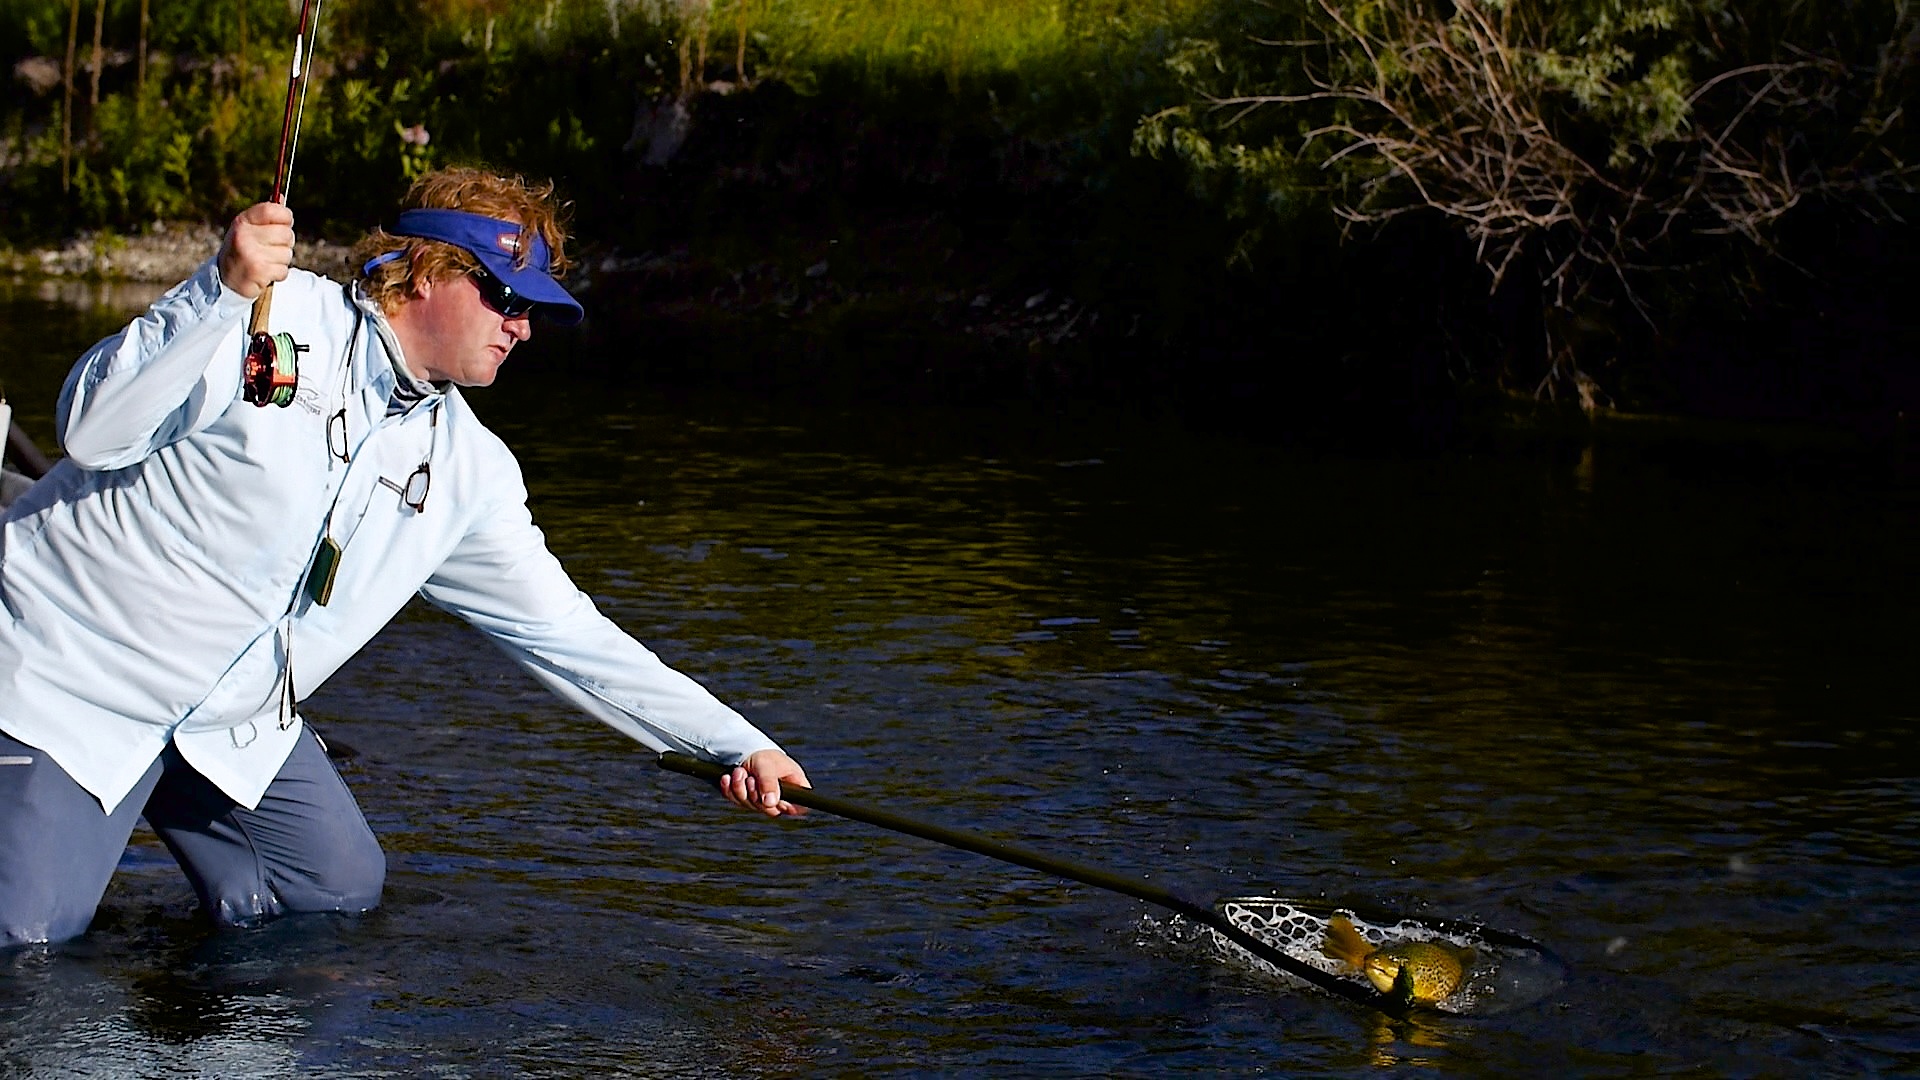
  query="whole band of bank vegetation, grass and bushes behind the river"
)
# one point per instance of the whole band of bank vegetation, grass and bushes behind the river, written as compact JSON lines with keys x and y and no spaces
{"x":1404,"y":201}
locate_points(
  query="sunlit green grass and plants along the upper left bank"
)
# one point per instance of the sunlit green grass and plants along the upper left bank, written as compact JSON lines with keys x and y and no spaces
{"x":180,"y":110}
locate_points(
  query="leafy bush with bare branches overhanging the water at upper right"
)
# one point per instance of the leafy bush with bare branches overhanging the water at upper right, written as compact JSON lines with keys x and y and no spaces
{"x":1614,"y":162}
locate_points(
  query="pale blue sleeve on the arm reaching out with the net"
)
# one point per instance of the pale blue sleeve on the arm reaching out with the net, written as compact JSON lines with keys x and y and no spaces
{"x":506,"y":581}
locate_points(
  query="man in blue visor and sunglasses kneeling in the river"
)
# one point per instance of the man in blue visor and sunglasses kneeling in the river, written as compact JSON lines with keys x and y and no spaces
{"x":239,"y":514}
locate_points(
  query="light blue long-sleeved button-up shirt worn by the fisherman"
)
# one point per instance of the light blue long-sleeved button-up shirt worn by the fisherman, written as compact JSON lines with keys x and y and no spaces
{"x":153,"y":583}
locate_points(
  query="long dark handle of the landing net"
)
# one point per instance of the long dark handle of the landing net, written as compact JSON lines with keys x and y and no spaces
{"x":978,"y":845}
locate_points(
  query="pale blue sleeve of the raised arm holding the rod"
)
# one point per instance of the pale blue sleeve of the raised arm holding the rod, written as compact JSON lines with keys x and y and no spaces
{"x":170,"y":374}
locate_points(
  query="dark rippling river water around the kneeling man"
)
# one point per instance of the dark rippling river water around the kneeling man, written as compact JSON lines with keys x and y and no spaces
{"x":1646,"y":700}
